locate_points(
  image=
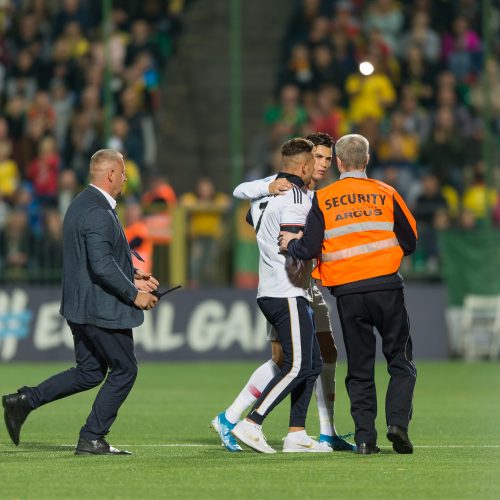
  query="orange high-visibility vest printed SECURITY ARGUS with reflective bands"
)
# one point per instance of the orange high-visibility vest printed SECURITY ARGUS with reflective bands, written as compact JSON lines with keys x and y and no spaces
{"x":359,"y":240}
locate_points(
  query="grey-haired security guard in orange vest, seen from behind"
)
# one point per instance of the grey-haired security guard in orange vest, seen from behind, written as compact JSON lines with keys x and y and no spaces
{"x":360,"y":229}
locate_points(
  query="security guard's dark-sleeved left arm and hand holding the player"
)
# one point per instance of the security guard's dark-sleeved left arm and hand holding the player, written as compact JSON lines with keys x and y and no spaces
{"x":309,"y":245}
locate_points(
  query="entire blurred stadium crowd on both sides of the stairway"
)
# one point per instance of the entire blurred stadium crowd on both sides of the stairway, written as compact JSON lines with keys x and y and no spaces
{"x":421,"y":104}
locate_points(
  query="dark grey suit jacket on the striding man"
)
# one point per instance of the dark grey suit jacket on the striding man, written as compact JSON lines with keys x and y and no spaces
{"x":98,"y":276}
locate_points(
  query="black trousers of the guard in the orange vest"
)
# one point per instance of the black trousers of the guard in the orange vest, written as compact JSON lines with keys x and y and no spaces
{"x":386,"y":311}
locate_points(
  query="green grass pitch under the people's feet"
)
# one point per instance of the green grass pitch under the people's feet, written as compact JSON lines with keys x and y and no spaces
{"x":165,"y":423}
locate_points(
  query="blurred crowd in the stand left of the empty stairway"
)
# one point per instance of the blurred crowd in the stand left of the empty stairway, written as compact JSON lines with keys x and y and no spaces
{"x":53,"y":111}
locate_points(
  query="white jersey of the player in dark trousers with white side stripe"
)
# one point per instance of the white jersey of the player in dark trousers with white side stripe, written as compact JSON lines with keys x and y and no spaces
{"x":269,"y":215}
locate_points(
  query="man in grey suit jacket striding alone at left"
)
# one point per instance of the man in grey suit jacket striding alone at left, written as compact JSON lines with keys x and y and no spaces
{"x":103,"y":298}
